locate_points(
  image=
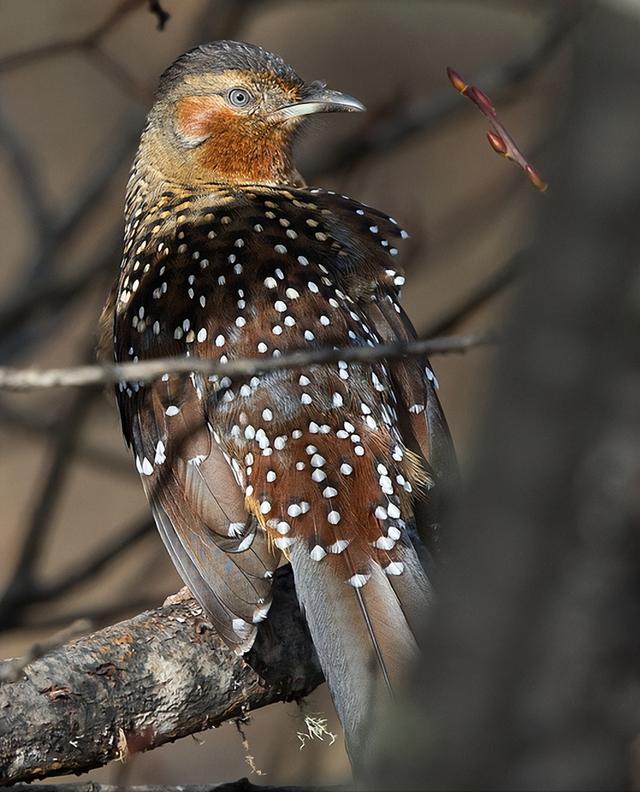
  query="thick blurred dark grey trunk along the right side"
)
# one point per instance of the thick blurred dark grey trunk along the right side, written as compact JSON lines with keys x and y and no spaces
{"x":531,"y":676}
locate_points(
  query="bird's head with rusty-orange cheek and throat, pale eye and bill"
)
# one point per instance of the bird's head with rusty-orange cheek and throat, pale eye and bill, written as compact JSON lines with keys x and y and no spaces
{"x":229,"y":111}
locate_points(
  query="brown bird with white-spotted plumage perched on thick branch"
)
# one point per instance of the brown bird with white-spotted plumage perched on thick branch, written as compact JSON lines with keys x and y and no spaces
{"x":228,"y":255}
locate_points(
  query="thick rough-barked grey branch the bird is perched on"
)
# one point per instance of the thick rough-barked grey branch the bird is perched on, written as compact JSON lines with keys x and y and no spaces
{"x":147,"y":681}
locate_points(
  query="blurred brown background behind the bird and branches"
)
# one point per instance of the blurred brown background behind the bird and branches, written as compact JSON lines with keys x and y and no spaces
{"x":76,"y":79}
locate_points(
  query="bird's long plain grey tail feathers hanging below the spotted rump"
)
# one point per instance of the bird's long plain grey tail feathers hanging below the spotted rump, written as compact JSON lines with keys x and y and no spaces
{"x":364,"y":634}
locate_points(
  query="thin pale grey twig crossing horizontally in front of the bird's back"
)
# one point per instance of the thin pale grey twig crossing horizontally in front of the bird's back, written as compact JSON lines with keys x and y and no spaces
{"x":149,"y":370}
